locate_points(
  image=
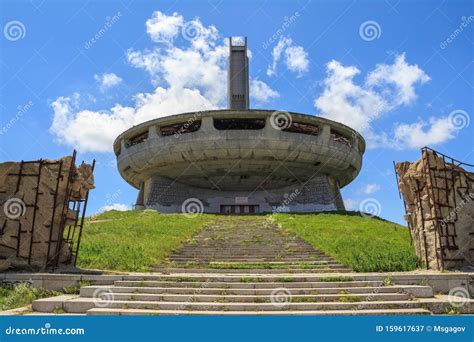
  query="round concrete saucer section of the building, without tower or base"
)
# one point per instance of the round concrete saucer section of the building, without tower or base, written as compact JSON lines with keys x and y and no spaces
{"x":210,"y":156}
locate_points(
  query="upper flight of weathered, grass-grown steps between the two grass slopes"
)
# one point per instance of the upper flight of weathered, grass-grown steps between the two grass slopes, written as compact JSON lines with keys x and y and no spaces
{"x":240,"y":244}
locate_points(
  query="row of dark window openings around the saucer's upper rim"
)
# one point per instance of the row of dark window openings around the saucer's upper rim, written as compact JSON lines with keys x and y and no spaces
{"x":236,"y":124}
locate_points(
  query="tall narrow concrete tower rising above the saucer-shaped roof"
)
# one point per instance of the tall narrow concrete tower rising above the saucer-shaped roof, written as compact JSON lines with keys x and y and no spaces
{"x":238,"y":74}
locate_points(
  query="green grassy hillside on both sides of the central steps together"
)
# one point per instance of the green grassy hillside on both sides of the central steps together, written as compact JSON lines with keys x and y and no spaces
{"x":136,"y":240}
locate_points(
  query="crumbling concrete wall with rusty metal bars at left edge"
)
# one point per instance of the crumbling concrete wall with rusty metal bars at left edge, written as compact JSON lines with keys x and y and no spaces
{"x":33,"y":212}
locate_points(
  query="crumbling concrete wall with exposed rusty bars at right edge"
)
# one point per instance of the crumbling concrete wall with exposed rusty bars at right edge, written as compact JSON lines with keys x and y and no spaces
{"x":439,"y":200}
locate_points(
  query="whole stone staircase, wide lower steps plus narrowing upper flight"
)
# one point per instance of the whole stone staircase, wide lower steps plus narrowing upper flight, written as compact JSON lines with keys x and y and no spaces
{"x":248,"y":266}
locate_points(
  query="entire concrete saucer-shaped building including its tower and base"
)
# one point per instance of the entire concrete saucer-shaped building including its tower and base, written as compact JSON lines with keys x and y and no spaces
{"x":239,"y":160}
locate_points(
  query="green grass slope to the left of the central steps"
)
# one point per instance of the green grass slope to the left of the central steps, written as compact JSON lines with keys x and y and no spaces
{"x":134,"y":240}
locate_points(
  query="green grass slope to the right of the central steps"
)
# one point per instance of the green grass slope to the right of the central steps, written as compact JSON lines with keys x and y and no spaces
{"x":363,"y":244}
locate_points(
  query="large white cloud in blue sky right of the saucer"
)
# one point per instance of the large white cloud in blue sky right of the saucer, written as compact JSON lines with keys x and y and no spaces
{"x":386,"y":88}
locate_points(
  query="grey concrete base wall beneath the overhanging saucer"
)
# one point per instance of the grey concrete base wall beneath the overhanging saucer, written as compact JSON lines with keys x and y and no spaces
{"x":168,"y":196}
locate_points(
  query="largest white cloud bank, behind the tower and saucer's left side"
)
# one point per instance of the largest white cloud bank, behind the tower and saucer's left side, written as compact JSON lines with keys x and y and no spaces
{"x":187,"y":77}
